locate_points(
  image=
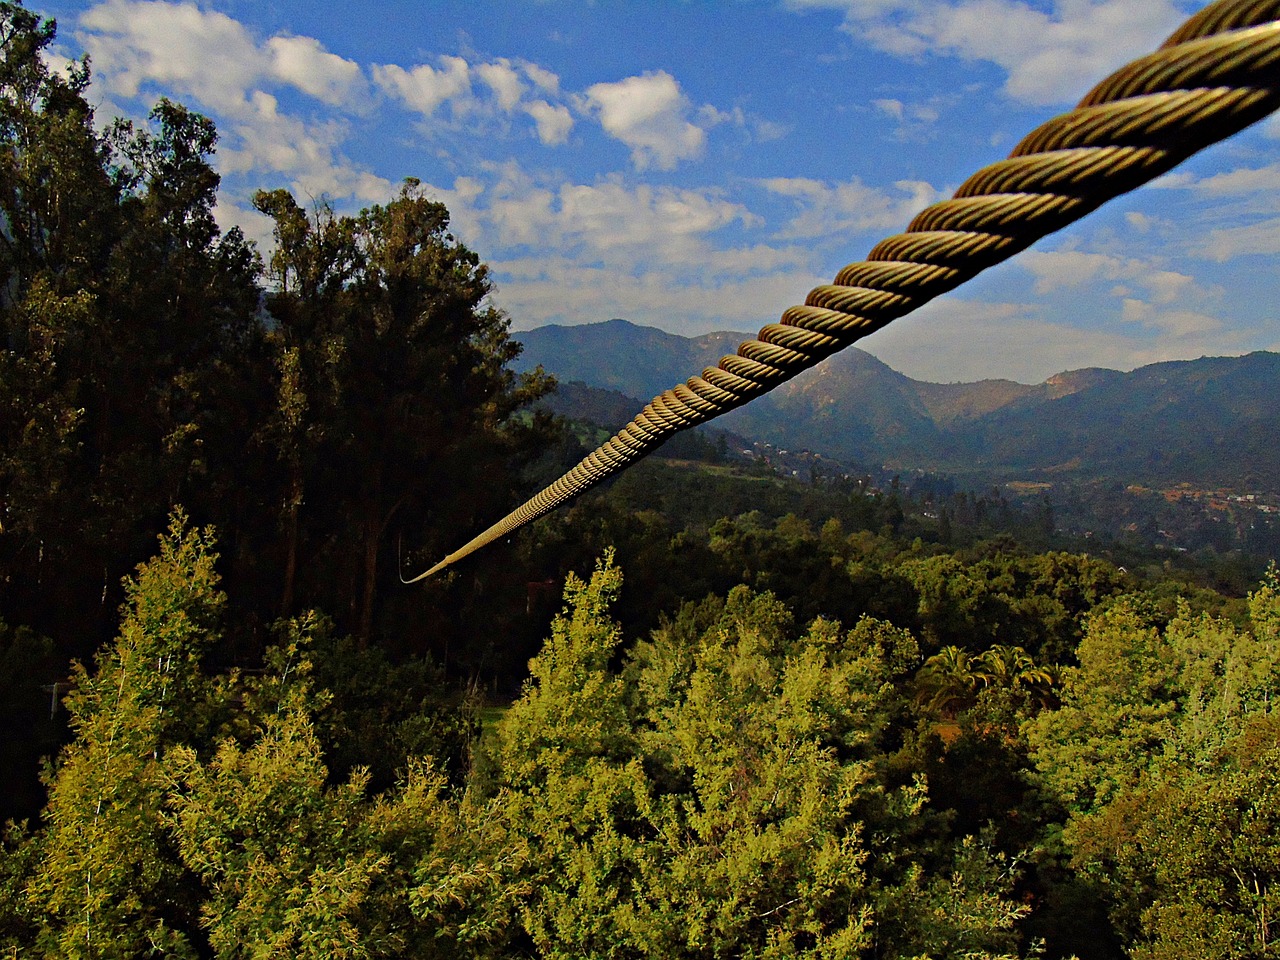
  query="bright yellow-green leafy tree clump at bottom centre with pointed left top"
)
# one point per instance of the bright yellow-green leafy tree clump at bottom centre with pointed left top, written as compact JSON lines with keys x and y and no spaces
{"x":726,"y":794}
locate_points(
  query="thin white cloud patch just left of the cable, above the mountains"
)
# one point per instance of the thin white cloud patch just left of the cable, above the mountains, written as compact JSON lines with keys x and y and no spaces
{"x":829,"y":211}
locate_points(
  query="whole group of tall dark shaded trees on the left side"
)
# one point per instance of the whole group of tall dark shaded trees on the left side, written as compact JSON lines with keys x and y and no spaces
{"x":354,"y":399}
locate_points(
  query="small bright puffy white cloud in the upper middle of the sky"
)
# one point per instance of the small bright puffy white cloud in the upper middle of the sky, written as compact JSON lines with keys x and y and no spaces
{"x":650,"y":115}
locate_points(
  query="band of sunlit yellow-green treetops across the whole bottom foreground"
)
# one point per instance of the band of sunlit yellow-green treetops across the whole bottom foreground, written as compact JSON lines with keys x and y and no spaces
{"x":733,"y":785}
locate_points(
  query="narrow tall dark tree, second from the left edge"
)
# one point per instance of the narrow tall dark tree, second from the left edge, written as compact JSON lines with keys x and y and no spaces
{"x":188,"y":354}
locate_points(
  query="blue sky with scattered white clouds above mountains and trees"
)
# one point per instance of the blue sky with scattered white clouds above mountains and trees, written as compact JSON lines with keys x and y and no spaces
{"x":701,"y":166}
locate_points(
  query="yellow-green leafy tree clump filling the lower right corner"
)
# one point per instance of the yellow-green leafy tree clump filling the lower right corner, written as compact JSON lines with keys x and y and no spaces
{"x":1164,"y":756}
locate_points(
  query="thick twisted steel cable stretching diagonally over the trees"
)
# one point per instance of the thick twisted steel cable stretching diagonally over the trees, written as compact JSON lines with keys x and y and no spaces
{"x":1215,"y":76}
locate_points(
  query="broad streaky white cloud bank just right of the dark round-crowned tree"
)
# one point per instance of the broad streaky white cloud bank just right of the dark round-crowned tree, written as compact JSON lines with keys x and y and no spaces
{"x":565,"y":252}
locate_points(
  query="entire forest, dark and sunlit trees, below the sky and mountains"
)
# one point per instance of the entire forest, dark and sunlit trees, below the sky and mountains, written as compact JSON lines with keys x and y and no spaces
{"x":769,"y":720}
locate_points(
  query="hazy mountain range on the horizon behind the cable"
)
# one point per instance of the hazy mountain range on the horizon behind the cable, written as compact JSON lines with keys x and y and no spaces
{"x":1209,"y":423}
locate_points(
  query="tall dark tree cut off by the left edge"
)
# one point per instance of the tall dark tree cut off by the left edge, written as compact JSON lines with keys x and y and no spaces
{"x":56,"y":198}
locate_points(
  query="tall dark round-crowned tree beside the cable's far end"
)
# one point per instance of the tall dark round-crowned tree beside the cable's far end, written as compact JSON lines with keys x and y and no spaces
{"x":396,"y":401}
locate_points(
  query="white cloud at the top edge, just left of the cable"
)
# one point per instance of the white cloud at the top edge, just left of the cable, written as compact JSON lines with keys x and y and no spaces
{"x":1049,"y":57}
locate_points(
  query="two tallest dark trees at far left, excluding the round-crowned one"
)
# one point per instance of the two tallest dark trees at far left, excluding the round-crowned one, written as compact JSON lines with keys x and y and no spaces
{"x":127,"y":323}
